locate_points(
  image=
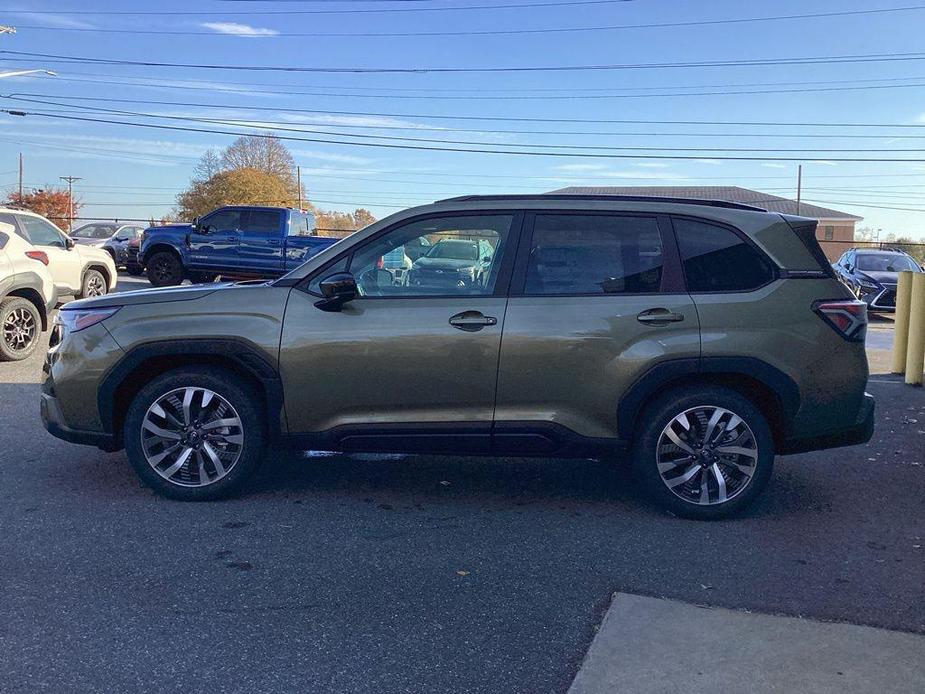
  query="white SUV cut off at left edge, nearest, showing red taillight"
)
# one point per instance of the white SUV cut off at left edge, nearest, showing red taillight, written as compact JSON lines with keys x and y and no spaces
{"x":27,"y":295}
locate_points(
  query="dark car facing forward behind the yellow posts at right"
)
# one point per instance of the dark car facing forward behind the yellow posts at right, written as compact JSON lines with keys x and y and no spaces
{"x":872,"y":275}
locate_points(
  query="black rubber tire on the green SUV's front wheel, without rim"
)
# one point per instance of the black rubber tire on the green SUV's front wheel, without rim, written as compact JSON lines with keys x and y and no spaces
{"x":228,"y":386}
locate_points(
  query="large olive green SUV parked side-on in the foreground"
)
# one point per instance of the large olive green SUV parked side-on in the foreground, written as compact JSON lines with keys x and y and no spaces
{"x":701,"y":337}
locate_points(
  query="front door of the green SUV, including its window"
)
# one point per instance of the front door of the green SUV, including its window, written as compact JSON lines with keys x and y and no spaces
{"x":400,"y":367}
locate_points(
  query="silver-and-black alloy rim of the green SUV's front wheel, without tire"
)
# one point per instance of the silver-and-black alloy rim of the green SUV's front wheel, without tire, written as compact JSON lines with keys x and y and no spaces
{"x":192,"y":437}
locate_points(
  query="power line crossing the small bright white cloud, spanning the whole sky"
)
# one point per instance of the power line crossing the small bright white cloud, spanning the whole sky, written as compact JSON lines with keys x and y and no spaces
{"x":489,"y":32}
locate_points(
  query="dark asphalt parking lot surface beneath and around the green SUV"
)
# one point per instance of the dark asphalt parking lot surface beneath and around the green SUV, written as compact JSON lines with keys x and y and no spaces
{"x":403,"y":573}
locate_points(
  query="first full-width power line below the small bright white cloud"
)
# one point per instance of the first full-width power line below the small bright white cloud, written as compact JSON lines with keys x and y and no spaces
{"x":757,"y":62}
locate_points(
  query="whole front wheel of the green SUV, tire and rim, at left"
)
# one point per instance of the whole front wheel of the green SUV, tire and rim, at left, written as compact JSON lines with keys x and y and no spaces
{"x":195,"y":434}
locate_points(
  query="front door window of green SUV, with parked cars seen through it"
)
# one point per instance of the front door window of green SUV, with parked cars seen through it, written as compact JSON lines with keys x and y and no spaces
{"x":462,"y":273}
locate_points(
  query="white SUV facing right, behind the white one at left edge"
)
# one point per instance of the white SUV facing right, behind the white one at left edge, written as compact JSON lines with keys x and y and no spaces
{"x":79,"y":271}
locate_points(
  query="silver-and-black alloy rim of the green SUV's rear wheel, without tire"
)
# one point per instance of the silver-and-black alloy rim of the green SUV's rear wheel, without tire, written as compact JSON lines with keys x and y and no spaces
{"x":707,"y":455}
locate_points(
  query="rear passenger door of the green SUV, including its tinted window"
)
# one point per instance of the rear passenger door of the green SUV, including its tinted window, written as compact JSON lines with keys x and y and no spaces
{"x":596,"y":300}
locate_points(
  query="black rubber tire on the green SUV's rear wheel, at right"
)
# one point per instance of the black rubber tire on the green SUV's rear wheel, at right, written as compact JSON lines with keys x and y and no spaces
{"x":656,"y":417}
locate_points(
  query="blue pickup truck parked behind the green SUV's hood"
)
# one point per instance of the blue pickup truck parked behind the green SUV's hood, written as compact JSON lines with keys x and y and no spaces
{"x":234,"y":241}
